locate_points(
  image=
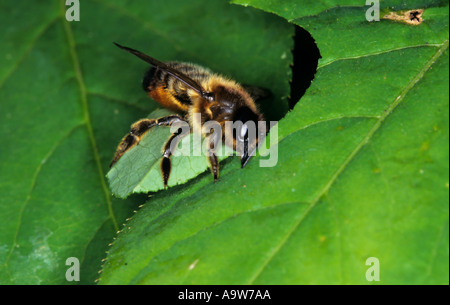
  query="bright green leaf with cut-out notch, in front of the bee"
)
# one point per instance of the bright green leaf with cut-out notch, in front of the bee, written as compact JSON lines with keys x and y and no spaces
{"x":362,"y":171}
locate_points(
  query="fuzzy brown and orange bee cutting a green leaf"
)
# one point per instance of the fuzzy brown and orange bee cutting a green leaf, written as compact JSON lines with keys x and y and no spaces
{"x":190,"y":89}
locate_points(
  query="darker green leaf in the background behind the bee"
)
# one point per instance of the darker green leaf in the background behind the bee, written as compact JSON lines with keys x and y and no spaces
{"x":68,"y":95}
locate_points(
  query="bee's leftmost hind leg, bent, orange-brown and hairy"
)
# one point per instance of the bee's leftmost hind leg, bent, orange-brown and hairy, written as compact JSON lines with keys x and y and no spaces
{"x":138,"y":129}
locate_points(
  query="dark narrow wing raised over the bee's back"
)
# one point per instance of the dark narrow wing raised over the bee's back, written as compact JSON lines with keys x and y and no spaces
{"x":175,"y":73}
